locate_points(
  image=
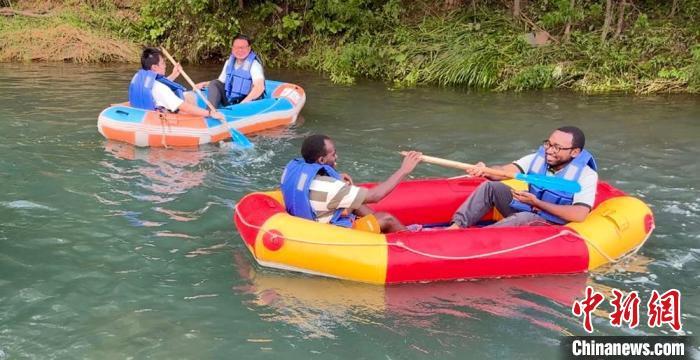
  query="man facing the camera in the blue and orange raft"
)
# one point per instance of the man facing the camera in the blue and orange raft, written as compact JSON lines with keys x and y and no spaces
{"x":242,"y":78}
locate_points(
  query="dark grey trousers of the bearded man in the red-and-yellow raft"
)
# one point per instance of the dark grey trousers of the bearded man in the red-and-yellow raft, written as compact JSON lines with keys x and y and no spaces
{"x":488,"y":195}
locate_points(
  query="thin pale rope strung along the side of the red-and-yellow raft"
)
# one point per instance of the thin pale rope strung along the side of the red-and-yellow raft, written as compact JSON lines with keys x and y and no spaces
{"x":400,"y":244}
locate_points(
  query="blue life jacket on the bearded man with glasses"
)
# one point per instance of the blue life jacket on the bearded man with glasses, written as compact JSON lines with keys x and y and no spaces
{"x":572,"y":171}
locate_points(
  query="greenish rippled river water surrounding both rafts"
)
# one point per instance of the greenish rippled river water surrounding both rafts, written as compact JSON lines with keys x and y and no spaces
{"x":109,"y":251}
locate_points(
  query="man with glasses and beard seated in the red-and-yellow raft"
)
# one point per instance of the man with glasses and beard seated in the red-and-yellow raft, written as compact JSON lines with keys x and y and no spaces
{"x":561,"y":155}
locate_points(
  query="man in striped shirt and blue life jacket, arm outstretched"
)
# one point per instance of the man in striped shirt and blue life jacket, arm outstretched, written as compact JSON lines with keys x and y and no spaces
{"x":313,"y":189}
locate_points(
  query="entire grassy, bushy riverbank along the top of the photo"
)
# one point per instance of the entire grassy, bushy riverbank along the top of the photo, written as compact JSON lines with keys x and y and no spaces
{"x":642,"y":47}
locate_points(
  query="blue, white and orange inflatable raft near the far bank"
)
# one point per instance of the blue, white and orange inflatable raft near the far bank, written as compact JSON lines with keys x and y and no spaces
{"x":280,"y":107}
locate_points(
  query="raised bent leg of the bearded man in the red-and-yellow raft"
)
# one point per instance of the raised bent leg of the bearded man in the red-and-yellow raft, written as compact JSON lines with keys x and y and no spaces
{"x":488,"y":195}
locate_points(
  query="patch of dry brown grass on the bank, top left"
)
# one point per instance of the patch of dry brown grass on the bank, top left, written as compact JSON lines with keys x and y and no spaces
{"x":68,"y":31}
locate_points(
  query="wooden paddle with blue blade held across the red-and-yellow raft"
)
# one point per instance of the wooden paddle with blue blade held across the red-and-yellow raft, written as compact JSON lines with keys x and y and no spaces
{"x":547,"y":182}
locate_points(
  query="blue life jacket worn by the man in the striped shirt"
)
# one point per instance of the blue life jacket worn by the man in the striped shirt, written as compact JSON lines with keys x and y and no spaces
{"x":295,"y":183}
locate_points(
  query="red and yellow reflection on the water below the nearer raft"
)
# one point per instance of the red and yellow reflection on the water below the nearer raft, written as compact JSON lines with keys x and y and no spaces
{"x":322,"y":307}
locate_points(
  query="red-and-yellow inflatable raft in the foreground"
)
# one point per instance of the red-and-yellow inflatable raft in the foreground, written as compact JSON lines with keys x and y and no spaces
{"x":618,"y":225}
